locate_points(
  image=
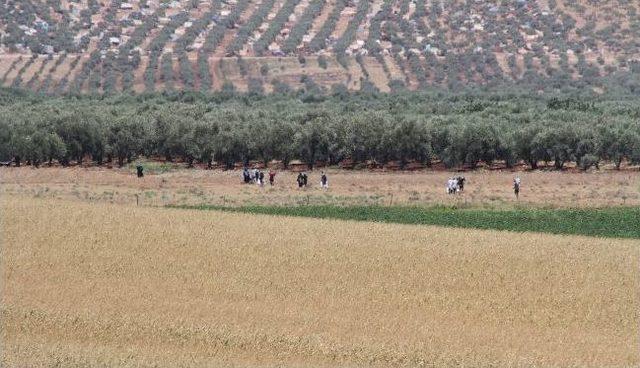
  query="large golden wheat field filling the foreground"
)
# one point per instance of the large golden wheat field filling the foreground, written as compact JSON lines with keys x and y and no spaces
{"x":108,"y":285}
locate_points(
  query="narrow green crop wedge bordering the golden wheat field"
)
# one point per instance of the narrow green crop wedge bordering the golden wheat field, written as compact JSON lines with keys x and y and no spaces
{"x":623,"y":222}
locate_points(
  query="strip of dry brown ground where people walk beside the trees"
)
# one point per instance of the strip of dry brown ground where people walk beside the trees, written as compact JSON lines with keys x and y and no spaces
{"x":484,"y":188}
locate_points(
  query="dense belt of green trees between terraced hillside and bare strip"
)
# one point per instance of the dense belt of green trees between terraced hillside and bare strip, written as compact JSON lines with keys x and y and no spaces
{"x":455,"y":130}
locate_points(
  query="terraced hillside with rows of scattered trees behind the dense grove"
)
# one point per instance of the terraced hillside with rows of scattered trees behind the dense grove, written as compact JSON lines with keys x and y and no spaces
{"x":55,"y":46}
